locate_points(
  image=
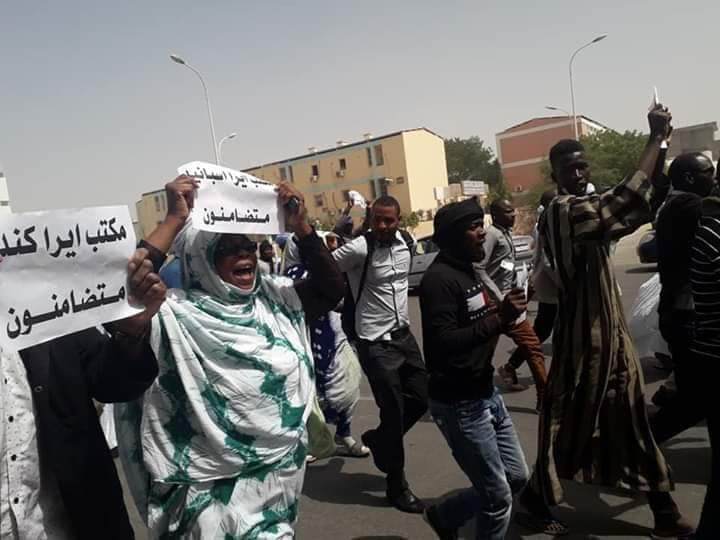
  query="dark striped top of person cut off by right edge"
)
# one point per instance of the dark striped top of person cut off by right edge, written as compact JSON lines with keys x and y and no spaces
{"x":705,"y":280}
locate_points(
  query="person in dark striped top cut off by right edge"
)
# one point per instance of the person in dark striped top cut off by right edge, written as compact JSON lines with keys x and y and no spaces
{"x":703,"y":368}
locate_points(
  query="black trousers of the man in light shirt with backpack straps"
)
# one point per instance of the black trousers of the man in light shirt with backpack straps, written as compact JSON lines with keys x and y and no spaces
{"x":399,"y":382}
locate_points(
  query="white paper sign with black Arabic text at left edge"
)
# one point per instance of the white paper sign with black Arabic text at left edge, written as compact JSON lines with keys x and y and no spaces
{"x":62,"y":271}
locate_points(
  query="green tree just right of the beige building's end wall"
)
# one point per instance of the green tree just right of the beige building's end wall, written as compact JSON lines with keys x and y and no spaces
{"x":470,"y":159}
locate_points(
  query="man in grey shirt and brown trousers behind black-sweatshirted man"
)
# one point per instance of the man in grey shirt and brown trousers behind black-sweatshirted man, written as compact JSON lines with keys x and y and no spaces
{"x":497,"y":272}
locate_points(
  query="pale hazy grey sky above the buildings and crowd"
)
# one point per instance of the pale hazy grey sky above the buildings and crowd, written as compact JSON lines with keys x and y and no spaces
{"x":93,"y":112}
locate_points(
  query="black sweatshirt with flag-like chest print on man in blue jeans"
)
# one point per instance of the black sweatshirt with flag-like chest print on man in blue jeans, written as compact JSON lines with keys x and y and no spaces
{"x":460,"y":331}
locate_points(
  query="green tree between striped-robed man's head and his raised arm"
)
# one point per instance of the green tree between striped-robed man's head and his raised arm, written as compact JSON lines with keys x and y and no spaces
{"x":612,"y":155}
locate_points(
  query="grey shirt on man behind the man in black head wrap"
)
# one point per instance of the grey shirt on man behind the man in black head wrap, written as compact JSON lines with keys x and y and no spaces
{"x":497,"y":269}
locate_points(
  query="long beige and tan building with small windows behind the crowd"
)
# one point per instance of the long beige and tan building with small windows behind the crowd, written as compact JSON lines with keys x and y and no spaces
{"x":406,"y":164}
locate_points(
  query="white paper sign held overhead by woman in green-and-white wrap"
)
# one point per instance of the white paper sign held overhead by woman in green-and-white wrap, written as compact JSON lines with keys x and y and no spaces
{"x":230,"y":201}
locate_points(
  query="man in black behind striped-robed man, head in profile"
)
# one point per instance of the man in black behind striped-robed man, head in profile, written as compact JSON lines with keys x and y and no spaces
{"x":692,"y":179}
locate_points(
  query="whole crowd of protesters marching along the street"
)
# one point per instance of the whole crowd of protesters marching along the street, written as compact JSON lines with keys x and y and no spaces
{"x":241,"y":349}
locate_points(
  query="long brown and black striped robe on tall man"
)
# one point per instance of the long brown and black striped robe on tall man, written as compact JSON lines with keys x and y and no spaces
{"x":594,"y":425}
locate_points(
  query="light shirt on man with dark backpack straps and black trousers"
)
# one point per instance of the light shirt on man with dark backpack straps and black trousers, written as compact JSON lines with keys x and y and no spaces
{"x":383,"y":305}
